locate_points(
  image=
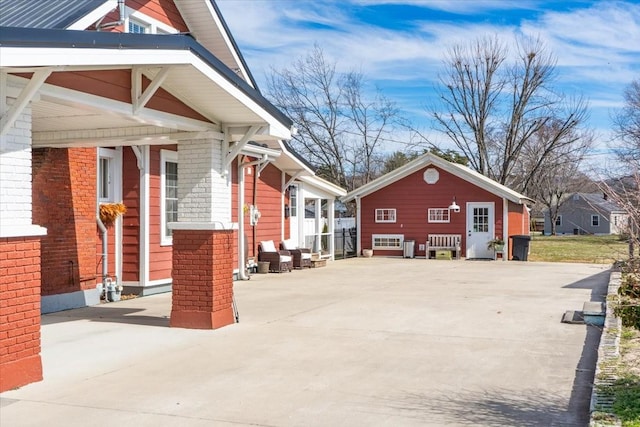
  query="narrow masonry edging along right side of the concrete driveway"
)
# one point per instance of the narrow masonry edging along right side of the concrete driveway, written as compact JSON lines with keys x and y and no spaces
{"x":608,"y":354}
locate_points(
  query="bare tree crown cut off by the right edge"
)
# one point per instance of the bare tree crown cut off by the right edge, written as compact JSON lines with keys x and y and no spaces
{"x":627,"y":126}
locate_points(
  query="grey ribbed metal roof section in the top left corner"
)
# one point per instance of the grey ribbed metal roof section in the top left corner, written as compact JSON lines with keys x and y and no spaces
{"x":51,"y":14}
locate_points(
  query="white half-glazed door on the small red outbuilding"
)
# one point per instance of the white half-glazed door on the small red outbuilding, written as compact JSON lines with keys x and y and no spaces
{"x":480,"y":229}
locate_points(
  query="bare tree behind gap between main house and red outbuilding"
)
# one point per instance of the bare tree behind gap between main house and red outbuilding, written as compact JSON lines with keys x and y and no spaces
{"x":340,"y":130}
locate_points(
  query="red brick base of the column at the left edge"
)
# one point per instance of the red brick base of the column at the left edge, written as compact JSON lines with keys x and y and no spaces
{"x":20,"y":362}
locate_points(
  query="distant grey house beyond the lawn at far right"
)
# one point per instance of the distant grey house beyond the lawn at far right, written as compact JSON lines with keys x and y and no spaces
{"x":587,"y":213}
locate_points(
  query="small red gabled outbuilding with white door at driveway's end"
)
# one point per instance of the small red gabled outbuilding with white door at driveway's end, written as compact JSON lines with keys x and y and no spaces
{"x":416,"y":200}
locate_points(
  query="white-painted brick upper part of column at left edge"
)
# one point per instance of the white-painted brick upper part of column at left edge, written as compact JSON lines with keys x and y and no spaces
{"x":15,"y":174}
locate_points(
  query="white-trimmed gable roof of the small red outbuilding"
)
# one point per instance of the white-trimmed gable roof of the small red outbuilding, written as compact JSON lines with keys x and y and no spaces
{"x":456,"y":169}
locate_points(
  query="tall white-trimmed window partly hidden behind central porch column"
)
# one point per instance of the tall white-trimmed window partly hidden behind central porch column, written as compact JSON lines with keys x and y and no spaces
{"x":168,"y":194}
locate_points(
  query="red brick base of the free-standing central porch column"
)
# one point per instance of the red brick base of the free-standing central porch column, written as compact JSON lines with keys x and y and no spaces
{"x":202,"y":279}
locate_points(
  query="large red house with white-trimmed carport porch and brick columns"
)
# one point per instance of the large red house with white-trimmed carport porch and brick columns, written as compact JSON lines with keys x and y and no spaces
{"x":157,"y":110}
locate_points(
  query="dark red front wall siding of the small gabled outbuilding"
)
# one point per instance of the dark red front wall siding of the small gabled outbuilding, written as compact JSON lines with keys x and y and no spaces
{"x":412,"y":197}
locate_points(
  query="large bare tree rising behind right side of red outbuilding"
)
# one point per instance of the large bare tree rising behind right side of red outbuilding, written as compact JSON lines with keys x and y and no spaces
{"x":492,"y":108}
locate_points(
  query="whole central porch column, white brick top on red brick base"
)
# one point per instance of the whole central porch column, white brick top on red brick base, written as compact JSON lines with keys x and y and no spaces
{"x":202,"y":239}
